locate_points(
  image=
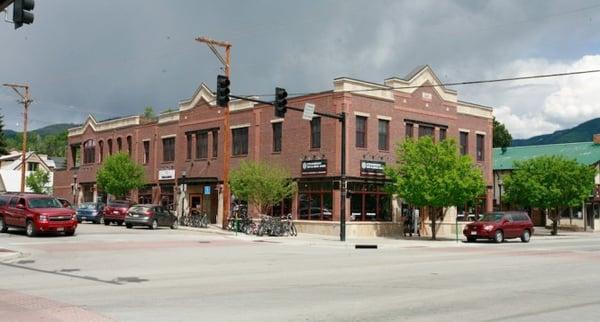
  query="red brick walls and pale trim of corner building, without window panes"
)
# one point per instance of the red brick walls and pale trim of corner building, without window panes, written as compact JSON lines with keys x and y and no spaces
{"x":426,"y":106}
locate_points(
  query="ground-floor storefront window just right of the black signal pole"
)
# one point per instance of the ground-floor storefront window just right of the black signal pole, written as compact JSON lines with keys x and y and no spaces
{"x":369,"y":202}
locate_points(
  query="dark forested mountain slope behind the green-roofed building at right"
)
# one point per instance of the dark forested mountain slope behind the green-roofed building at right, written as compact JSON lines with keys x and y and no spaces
{"x":580,"y":133}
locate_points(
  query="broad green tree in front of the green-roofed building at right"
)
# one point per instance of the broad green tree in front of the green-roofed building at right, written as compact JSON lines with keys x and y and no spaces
{"x":550,"y":183}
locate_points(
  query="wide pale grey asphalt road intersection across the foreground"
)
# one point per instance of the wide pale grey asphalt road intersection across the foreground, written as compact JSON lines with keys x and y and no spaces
{"x":112,"y":273}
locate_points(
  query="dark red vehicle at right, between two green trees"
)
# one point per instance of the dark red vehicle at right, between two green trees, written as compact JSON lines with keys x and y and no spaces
{"x":499,"y":226}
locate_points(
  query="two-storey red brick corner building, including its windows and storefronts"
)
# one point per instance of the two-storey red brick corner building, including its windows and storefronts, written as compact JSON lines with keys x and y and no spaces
{"x":186,"y":144}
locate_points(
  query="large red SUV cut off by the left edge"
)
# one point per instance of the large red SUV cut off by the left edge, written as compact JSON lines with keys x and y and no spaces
{"x":36,"y":213}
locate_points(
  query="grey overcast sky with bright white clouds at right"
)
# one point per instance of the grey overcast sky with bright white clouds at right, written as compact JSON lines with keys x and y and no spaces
{"x":113,"y":58}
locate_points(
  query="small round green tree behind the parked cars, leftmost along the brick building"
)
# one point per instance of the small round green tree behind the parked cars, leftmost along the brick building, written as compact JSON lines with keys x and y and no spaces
{"x":119,"y":175}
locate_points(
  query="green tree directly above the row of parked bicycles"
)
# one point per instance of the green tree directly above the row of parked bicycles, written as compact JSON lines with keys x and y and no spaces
{"x":261,"y":184}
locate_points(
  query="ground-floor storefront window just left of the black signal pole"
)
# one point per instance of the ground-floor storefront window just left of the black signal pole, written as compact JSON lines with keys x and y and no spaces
{"x":315,"y":201}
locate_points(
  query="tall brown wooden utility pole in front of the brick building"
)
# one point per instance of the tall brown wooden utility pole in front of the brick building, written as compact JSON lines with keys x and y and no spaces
{"x":211,"y":43}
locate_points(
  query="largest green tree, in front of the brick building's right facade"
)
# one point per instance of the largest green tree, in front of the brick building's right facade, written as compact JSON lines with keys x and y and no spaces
{"x":435,"y":176}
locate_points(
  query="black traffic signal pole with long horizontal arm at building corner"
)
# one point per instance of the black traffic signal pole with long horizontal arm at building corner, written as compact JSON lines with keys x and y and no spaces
{"x":343,"y":180}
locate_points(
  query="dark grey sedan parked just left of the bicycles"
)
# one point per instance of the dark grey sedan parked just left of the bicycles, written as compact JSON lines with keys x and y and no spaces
{"x":151,"y":216}
